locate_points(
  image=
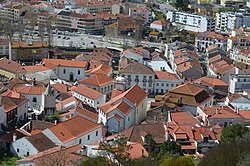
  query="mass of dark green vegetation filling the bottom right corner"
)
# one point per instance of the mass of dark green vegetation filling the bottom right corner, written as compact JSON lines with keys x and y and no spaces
{"x":234,"y":150}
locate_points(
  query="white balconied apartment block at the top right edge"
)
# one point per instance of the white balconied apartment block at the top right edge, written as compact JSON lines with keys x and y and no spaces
{"x":225,"y":22}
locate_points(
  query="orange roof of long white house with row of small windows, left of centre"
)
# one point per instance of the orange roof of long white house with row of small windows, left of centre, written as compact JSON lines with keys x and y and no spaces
{"x":87,"y":92}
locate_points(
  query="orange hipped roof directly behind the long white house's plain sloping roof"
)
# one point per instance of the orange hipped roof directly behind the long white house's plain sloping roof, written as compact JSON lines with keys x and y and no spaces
{"x":97,"y":80}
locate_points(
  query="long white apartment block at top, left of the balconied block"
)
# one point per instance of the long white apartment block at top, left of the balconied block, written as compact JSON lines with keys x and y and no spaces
{"x":191,"y":22}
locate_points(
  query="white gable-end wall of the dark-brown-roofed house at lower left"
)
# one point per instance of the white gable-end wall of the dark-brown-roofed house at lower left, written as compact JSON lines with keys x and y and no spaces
{"x":24,"y":146}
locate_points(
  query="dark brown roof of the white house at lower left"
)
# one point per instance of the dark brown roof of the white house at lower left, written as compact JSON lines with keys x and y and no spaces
{"x":41,"y":142}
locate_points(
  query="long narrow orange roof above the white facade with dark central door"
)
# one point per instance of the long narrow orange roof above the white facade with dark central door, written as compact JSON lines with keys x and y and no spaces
{"x":52,"y":63}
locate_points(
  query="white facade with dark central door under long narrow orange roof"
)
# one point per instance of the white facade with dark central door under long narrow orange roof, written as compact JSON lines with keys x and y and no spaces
{"x":70,"y":73}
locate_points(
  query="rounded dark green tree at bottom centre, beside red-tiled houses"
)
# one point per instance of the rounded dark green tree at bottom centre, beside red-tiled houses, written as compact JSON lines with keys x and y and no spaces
{"x":168,"y":149}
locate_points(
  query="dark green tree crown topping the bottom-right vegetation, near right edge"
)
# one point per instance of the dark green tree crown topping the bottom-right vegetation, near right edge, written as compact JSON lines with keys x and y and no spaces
{"x":230,"y":133}
